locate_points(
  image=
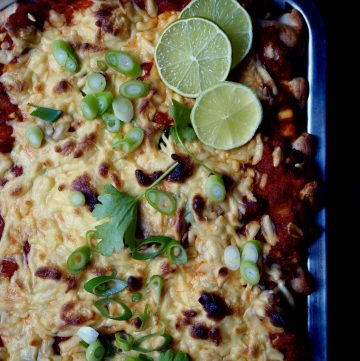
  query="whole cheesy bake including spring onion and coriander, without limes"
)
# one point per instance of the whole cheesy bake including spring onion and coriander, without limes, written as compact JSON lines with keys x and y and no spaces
{"x":87,"y":240}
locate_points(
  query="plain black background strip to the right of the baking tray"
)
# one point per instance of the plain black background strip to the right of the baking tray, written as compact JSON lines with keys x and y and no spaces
{"x":342,"y":181}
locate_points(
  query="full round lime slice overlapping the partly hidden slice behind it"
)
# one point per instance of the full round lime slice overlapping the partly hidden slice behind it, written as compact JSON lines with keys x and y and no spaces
{"x":192,"y":55}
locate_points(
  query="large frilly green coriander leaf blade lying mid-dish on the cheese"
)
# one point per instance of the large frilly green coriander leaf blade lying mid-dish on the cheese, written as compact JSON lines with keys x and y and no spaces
{"x":122,"y":209}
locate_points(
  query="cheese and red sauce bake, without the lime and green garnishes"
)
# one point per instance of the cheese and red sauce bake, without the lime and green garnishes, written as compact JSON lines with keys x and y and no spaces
{"x":272,"y":191}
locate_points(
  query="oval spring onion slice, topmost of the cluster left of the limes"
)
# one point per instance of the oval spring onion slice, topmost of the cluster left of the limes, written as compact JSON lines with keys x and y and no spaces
{"x":123,"y":63}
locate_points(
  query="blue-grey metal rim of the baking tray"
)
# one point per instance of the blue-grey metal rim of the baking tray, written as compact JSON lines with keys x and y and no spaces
{"x":316,"y":115}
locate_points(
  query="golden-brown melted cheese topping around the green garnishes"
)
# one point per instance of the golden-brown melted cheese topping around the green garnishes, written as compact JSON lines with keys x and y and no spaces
{"x":36,"y":209}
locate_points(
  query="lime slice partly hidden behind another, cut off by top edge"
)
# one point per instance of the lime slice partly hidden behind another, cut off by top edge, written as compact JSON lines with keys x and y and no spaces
{"x":231,"y":17}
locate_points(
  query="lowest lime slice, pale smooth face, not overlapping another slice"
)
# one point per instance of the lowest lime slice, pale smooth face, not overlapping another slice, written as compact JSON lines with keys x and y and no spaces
{"x":226,"y":115}
